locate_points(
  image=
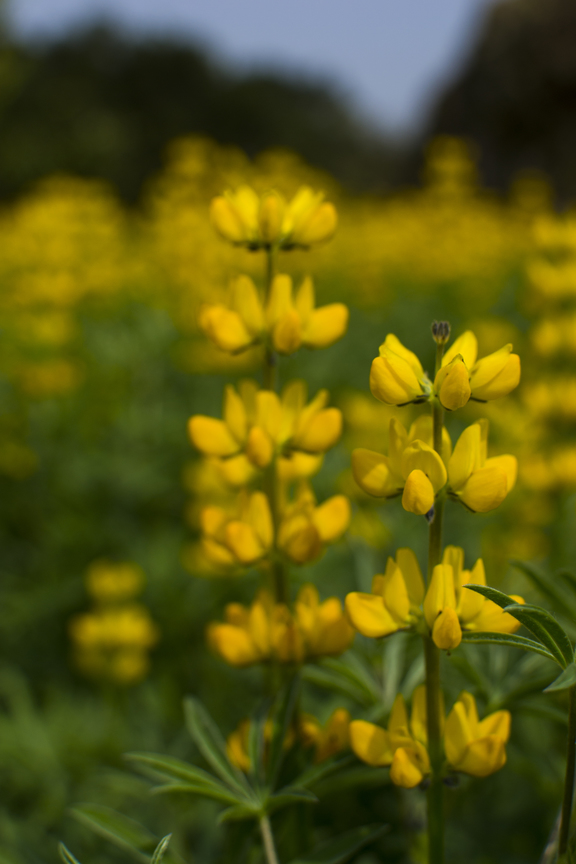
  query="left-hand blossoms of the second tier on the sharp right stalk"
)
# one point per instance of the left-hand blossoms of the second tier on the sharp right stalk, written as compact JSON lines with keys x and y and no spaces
{"x":412,"y":465}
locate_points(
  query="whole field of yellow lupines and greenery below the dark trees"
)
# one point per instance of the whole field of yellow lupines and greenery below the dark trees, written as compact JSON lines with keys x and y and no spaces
{"x":257,"y":436}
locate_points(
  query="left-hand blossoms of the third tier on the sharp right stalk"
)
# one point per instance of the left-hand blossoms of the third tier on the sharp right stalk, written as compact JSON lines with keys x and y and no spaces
{"x":395,"y":600}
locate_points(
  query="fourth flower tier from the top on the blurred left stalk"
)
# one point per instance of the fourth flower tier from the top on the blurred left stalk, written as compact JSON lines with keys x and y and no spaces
{"x":245,"y":536}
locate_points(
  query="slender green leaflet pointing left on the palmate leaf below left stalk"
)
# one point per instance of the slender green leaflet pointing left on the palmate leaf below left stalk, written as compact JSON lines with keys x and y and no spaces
{"x":186,"y":776}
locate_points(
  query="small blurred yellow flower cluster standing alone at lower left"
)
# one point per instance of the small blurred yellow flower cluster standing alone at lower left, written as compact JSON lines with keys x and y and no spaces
{"x":112,"y":641}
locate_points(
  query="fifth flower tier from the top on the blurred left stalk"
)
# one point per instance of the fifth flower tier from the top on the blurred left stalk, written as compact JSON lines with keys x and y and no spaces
{"x":268,"y":630}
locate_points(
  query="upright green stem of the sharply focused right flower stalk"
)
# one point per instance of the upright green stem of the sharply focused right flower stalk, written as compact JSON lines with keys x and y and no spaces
{"x":435,"y":793}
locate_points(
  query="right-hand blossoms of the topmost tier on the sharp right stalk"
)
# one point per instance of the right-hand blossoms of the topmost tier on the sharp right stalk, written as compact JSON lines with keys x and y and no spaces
{"x":489,"y":378}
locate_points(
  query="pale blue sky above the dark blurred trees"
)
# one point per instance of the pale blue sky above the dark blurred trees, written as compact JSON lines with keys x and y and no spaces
{"x":389,"y":56}
